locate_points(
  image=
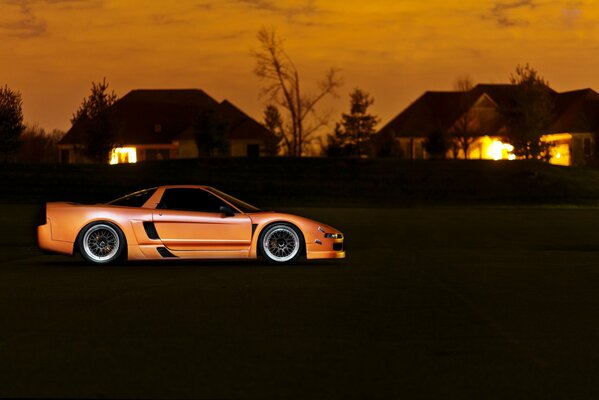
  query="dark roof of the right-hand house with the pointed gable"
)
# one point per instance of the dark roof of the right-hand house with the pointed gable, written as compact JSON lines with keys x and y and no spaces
{"x":576,"y":111}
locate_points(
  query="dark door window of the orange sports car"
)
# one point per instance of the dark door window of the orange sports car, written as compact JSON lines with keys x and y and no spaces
{"x":189,"y":199}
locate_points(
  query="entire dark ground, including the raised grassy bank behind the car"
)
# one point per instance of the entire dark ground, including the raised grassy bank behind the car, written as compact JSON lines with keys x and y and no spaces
{"x":462,"y":280}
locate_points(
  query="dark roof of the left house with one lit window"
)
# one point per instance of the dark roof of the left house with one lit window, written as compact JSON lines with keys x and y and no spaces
{"x":160,"y":116}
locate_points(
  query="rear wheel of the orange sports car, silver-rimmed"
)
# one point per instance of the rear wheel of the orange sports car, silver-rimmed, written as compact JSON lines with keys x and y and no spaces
{"x":101,"y":243}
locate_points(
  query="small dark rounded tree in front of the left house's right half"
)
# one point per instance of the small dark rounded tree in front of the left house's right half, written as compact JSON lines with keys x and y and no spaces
{"x":210,"y":133}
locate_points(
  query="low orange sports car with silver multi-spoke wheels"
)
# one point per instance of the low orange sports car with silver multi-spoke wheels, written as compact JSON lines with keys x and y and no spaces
{"x":183,"y":222}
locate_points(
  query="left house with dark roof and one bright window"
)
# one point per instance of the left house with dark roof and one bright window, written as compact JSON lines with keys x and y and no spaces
{"x":158,"y":125}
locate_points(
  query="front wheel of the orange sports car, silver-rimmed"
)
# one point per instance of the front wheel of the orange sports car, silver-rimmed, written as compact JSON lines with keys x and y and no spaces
{"x":281,"y":243}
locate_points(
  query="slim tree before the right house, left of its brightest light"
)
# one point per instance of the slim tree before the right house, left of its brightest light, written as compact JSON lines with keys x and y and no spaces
{"x":464,"y":130}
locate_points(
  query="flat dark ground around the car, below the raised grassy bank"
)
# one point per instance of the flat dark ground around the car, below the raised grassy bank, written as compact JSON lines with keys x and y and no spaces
{"x":431,"y":302}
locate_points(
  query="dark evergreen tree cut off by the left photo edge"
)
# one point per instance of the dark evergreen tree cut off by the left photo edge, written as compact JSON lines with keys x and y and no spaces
{"x":11,"y":120}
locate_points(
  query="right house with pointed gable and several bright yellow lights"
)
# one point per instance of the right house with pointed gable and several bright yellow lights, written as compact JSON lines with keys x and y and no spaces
{"x":572,"y":131}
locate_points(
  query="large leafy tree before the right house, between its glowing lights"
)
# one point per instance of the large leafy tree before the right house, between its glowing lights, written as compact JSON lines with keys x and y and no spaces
{"x":529,"y":114}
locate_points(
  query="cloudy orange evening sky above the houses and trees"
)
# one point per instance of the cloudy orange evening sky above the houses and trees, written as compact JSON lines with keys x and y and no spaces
{"x":51,"y":50}
